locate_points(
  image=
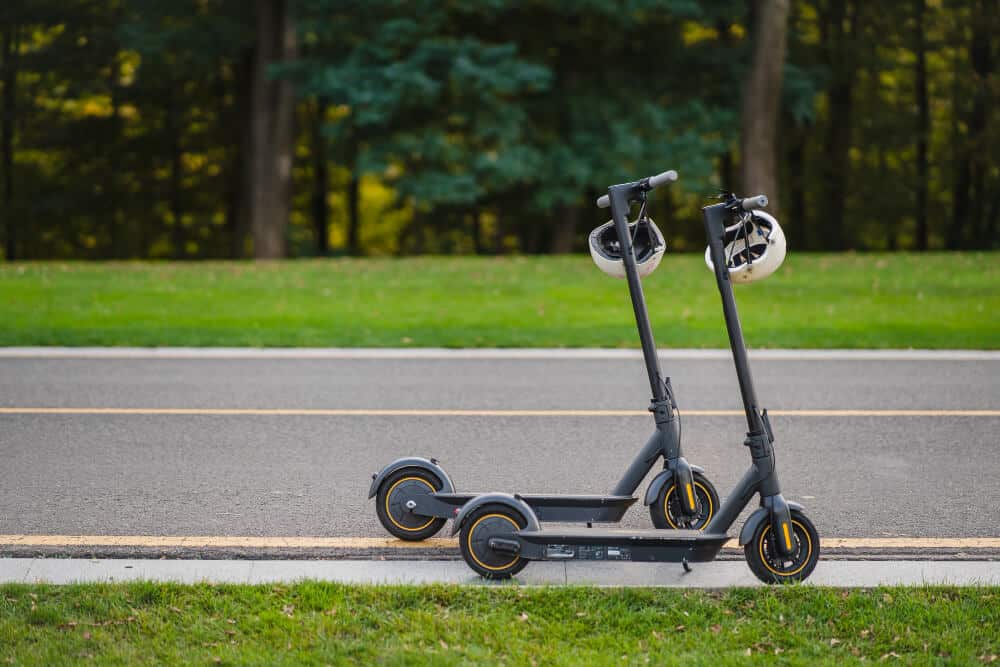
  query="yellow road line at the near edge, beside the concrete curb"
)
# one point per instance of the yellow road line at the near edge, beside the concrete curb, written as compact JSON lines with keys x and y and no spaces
{"x":196,"y":542}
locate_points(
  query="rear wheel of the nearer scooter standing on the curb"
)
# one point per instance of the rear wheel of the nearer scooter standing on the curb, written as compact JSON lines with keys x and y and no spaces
{"x":493,"y":520}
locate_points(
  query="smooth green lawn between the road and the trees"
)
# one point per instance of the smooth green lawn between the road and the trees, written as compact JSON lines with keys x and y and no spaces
{"x":939,"y":300}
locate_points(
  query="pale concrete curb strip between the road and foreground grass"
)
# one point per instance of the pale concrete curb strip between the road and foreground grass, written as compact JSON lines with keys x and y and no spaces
{"x":724,"y":574}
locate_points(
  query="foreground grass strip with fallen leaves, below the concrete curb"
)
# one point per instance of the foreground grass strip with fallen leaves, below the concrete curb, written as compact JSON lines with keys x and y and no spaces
{"x":319,"y":623}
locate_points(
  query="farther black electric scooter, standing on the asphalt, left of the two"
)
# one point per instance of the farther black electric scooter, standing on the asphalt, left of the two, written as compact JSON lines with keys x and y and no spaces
{"x":415,"y":496}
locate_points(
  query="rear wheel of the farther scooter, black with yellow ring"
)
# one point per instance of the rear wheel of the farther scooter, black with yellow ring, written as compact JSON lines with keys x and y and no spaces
{"x":394,"y":491}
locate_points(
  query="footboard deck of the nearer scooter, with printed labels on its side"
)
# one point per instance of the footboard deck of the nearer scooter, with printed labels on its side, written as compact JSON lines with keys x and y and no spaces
{"x":664,"y":546}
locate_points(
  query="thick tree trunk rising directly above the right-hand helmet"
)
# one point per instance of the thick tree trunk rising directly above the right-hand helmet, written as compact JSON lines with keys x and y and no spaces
{"x":762,"y":101}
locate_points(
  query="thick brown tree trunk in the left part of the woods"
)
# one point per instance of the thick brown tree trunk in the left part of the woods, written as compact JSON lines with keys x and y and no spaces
{"x":273,"y":124}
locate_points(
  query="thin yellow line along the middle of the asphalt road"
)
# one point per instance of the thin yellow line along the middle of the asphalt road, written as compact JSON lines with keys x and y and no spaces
{"x":308,"y":412}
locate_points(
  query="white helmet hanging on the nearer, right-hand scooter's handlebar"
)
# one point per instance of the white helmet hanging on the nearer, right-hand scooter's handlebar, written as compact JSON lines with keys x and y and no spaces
{"x":754,"y":247}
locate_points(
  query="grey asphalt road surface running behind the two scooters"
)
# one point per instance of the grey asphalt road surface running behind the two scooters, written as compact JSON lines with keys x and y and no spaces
{"x":140,"y":474}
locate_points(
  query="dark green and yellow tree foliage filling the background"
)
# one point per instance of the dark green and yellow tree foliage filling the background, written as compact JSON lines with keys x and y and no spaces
{"x":493,"y":124}
